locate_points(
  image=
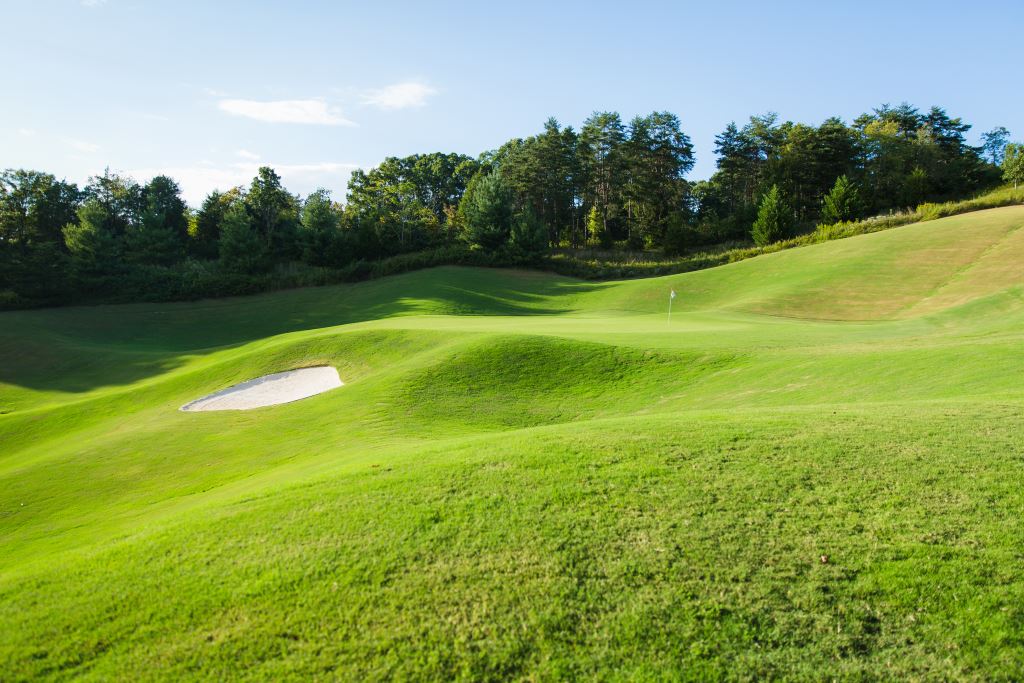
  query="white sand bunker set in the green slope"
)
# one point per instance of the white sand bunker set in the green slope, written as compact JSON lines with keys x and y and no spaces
{"x":270,"y":391}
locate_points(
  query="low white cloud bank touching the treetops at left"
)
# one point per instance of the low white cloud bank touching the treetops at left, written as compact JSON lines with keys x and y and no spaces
{"x":199,"y":181}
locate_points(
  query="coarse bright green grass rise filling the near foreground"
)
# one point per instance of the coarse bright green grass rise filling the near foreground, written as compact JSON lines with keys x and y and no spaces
{"x":647,"y":548}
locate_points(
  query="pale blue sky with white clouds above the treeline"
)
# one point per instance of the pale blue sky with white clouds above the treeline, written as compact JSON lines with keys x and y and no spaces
{"x":207,"y":92}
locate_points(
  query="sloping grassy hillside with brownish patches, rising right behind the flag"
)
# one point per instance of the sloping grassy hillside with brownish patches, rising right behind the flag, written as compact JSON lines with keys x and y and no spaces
{"x":898,"y":274}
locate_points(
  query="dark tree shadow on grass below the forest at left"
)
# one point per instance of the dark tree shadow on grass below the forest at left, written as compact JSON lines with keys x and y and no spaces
{"x":83,"y":349}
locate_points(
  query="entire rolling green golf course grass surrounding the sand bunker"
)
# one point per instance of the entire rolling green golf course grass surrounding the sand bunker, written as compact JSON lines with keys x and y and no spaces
{"x":816,"y":473}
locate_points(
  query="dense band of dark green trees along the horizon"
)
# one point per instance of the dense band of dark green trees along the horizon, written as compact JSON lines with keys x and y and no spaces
{"x":611,"y":185}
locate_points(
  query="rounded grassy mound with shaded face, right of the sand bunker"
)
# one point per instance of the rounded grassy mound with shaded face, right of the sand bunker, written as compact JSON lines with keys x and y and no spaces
{"x":526,"y":381}
